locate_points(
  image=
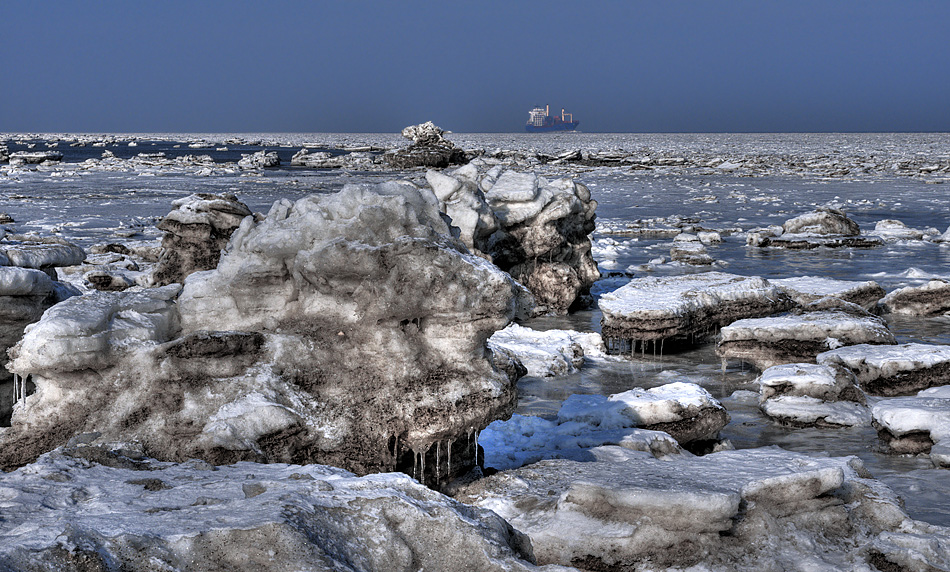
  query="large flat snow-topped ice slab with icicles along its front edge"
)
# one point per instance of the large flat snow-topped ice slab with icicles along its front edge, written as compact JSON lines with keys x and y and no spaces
{"x":682,"y":307}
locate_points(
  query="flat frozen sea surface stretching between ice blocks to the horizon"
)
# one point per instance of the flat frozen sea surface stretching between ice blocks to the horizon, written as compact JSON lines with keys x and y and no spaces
{"x":725,"y":183}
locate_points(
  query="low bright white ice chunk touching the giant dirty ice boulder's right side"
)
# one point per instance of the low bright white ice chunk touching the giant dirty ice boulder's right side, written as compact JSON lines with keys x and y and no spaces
{"x":546,"y":353}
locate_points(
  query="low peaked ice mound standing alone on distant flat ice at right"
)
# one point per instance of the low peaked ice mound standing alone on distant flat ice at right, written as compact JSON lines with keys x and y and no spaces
{"x":824,"y":227}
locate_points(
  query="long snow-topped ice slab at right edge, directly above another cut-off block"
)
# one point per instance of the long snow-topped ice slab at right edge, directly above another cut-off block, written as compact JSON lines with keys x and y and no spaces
{"x":893,"y":370}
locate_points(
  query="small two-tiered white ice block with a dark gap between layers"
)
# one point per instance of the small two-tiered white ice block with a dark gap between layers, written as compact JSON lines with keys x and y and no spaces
{"x":804,"y":394}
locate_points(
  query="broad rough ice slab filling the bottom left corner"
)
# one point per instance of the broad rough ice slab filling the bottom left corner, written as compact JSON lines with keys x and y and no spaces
{"x":90,"y":507}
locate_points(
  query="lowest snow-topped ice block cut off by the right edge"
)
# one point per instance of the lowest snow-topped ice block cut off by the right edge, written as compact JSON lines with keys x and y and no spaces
{"x":915,"y":425}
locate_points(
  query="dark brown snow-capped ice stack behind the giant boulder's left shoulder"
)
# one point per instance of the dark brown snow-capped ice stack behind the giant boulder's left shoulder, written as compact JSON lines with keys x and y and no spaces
{"x":196,"y":231}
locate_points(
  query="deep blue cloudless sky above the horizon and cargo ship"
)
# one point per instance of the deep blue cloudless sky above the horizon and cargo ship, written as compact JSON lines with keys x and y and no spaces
{"x":637,"y":66}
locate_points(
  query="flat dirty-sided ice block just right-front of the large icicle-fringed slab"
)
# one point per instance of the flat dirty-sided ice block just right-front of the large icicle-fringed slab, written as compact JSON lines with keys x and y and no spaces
{"x":764,"y":342}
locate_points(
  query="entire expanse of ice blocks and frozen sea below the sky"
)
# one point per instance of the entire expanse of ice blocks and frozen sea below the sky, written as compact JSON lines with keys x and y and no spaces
{"x":364,"y":323}
